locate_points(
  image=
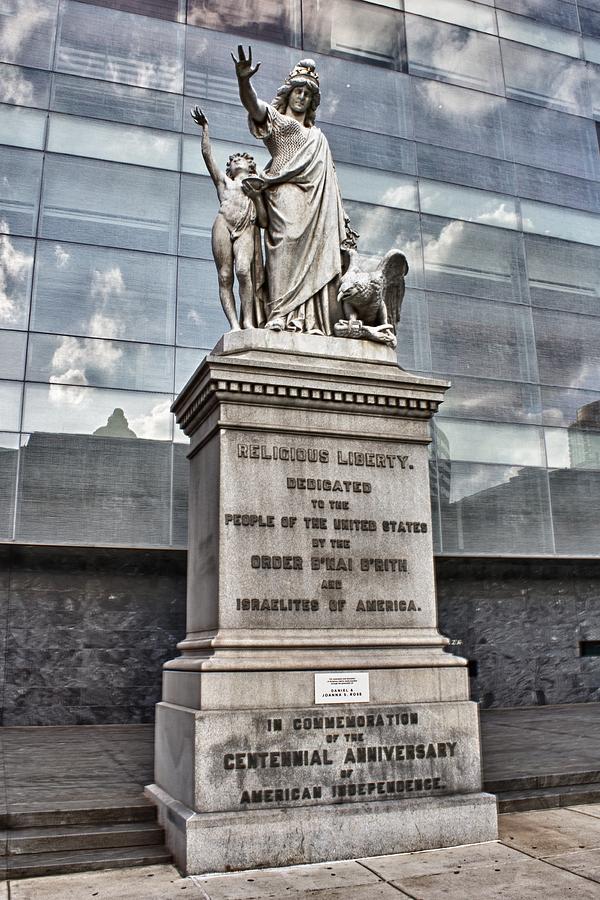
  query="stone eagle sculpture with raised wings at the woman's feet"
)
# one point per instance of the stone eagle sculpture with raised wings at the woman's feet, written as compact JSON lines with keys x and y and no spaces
{"x":371,"y":301}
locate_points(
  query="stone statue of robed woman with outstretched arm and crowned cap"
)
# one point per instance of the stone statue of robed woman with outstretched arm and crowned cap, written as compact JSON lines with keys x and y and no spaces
{"x":306,"y":233}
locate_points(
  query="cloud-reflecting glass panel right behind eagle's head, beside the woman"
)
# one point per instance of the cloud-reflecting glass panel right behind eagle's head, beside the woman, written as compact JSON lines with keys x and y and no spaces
{"x":380,"y":229}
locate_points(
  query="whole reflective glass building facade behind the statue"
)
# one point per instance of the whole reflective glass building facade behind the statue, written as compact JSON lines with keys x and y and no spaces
{"x":464,"y":133}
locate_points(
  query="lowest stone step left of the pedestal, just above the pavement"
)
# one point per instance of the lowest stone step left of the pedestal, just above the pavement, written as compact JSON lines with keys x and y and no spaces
{"x":38,"y":864}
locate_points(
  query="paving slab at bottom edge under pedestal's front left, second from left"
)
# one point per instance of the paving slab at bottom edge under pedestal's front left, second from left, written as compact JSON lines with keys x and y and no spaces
{"x":275,"y":883}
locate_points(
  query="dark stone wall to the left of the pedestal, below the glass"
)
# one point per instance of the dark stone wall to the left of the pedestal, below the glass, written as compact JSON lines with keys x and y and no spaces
{"x":84,"y":632}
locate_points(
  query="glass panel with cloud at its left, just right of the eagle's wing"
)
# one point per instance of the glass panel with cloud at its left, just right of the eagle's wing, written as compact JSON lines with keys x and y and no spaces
{"x":473,"y":260}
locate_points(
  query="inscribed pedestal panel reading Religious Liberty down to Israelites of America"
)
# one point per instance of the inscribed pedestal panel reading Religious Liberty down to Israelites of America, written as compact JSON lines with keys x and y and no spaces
{"x":330,"y":533}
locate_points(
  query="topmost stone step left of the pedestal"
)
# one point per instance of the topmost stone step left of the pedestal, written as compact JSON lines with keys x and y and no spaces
{"x":135,"y":810}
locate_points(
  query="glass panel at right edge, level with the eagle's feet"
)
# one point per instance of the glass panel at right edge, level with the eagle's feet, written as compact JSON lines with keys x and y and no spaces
{"x":568,"y":349}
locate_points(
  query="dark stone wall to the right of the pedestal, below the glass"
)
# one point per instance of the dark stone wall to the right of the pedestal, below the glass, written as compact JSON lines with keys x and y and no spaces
{"x":521,"y":622}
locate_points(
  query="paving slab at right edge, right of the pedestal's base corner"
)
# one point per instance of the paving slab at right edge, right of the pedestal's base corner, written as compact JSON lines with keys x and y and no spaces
{"x":548,"y":832}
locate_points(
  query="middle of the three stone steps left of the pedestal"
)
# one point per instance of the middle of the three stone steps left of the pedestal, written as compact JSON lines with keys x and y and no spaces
{"x":59,"y":838}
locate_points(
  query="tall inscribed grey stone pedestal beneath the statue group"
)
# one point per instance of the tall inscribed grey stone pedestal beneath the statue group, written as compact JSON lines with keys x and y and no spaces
{"x":313,"y":713}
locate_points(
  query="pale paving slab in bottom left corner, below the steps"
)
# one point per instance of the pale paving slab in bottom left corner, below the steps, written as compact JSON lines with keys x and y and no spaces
{"x":144,"y":883}
